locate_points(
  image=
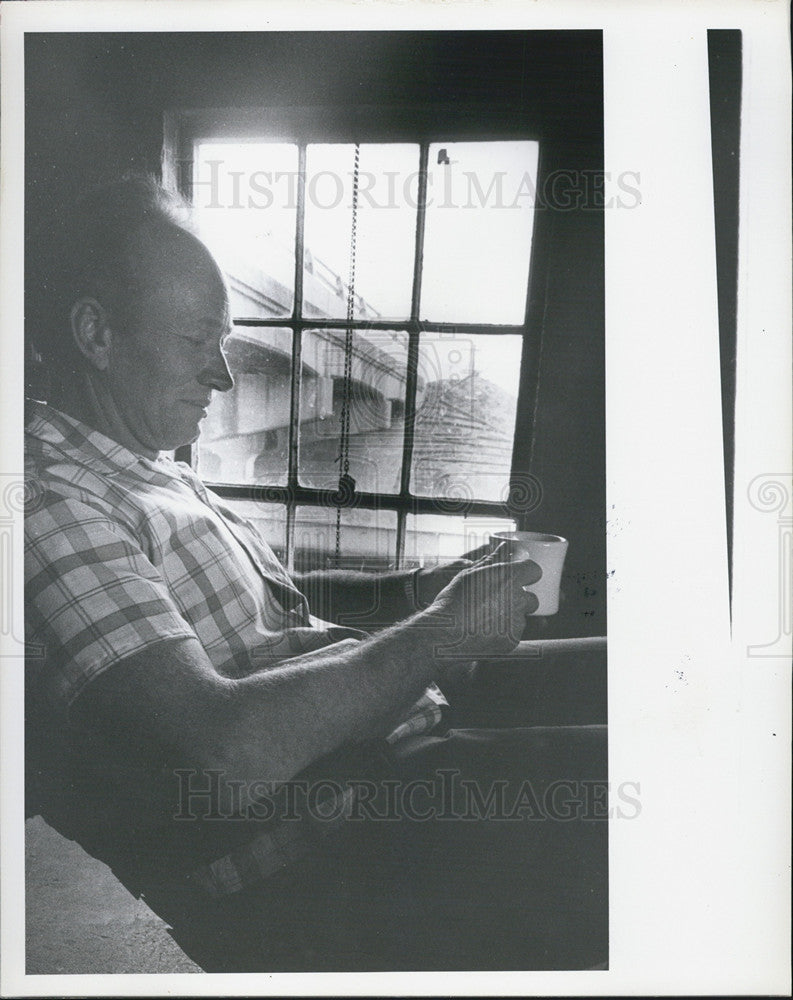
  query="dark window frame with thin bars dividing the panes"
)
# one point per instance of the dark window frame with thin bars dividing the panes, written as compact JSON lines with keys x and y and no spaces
{"x":304,"y":126}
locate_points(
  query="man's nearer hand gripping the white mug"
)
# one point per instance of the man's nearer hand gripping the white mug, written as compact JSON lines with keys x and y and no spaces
{"x":483,"y":608}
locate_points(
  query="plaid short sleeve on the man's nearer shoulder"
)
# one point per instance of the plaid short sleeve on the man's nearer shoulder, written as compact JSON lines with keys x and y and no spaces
{"x":92,"y":597}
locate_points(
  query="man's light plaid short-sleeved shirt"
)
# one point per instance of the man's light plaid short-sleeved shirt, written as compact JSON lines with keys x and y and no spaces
{"x":123,"y":552}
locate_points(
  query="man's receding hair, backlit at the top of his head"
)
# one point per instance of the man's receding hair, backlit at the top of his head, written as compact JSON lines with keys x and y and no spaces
{"x":90,"y":250}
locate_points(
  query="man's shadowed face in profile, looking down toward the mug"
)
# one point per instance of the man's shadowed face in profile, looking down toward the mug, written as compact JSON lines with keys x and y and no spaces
{"x":168,"y":357}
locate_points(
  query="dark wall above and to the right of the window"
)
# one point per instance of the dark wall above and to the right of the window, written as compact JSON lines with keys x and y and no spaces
{"x":95,"y":106}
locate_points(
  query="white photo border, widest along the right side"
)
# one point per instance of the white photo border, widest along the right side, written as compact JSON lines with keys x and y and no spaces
{"x":699,"y":884}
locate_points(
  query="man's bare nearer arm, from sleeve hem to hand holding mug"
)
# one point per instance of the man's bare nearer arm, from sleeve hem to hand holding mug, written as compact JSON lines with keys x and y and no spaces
{"x":272,"y":725}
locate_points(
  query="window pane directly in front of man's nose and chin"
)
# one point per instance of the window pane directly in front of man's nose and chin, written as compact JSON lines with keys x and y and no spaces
{"x":244,"y":438}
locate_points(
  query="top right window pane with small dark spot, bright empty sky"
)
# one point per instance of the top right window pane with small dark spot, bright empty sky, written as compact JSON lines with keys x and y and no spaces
{"x":480,"y":209}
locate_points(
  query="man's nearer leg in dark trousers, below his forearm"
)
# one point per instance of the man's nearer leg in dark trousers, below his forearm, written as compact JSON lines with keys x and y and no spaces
{"x":485,"y":849}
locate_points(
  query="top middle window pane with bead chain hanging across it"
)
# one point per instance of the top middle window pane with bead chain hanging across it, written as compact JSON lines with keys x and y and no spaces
{"x":386,"y":230}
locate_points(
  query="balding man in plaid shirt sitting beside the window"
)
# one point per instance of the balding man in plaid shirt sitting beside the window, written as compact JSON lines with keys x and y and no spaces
{"x":280,"y":789}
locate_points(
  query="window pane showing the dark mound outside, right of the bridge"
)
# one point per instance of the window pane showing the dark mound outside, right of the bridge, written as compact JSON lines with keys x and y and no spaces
{"x":466,"y":400}
